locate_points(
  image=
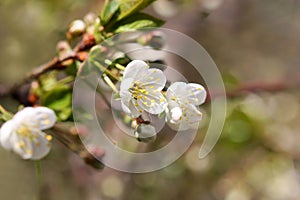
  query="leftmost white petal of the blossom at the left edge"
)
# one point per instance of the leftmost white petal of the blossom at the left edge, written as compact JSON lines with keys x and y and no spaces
{"x":6,"y":132}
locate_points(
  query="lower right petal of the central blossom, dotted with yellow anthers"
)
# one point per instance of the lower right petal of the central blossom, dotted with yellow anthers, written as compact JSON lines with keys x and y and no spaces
{"x":154,"y":103}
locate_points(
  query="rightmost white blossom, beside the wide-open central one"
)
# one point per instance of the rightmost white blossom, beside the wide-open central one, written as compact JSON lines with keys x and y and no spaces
{"x":183,"y":99}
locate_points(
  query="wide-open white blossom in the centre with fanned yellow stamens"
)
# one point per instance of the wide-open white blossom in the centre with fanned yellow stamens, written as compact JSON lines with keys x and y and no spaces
{"x":140,"y":89}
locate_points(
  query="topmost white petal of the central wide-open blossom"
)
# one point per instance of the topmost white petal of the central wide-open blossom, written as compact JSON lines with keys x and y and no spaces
{"x":134,"y":69}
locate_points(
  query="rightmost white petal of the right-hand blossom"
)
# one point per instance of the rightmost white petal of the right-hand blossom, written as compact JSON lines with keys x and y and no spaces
{"x":197,"y":94}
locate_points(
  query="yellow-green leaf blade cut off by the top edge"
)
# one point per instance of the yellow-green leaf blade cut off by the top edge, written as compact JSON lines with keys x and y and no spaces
{"x":129,"y":7}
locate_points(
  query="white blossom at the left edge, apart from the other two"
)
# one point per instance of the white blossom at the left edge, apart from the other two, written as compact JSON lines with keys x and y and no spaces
{"x":23,"y":133}
